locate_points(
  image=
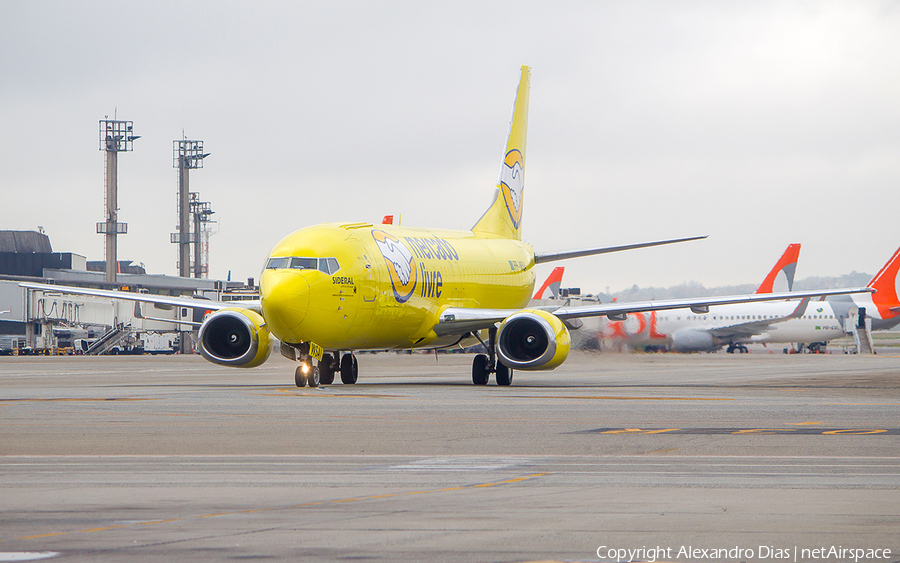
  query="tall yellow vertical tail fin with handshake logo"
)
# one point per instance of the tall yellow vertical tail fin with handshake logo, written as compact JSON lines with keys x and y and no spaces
{"x":504,"y":216}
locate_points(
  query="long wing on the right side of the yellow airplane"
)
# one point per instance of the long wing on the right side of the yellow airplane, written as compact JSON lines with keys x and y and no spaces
{"x":458,"y":320}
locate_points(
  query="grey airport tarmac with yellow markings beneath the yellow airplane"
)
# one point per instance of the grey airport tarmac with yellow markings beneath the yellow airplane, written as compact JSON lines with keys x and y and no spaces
{"x":173,"y":458}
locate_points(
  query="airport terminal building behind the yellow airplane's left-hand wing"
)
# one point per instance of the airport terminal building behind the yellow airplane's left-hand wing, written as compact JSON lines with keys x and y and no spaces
{"x":33,"y":321}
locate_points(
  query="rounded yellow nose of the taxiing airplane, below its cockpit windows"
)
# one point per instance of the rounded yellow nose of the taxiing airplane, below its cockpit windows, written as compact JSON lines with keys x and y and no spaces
{"x":285,"y":301}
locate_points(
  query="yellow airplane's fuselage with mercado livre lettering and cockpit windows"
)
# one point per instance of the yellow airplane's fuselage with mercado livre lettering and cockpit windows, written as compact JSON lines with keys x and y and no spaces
{"x":385,"y":286}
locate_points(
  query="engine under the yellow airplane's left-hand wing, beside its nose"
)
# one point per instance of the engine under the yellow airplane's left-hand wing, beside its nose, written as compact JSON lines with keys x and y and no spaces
{"x":235,"y":338}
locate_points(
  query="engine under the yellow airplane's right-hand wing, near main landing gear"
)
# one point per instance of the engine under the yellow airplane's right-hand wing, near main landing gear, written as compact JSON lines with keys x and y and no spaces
{"x":532,"y":339}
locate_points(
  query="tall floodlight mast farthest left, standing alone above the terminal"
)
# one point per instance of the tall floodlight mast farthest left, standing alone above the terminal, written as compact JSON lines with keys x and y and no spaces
{"x":115,"y":137}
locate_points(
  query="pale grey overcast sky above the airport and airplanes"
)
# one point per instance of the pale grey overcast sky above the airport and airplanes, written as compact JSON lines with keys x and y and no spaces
{"x":758,"y":123}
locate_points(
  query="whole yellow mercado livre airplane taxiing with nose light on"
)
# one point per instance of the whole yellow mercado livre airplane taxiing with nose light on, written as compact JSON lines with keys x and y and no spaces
{"x":328,"y":290}
